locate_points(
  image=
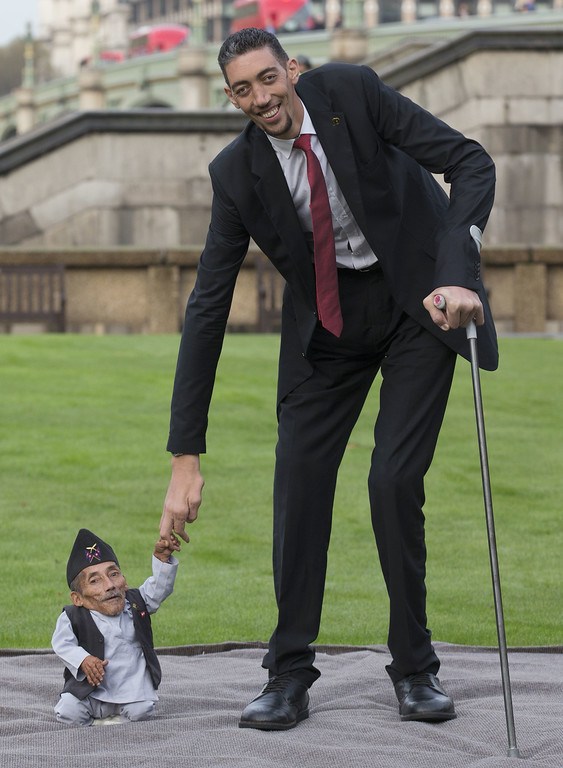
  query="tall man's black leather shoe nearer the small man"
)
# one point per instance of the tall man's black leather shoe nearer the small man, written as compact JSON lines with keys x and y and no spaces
{"x":282,"y":703}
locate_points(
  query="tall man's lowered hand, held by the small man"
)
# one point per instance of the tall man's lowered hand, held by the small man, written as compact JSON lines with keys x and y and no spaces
{"x":183,"y":498}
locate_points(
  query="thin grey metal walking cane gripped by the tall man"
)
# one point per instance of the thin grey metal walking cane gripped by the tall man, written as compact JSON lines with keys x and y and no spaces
{"x":440,"y":303}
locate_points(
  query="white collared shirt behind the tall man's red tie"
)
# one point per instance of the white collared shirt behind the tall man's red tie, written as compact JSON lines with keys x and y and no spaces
{"x":352,"y":248}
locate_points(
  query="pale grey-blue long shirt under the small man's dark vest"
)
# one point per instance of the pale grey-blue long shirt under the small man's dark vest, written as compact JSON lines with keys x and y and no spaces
{"x":126,"y":677}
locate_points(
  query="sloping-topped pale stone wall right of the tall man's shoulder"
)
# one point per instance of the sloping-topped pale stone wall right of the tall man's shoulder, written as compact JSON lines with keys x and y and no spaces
{"x":506,"y":91}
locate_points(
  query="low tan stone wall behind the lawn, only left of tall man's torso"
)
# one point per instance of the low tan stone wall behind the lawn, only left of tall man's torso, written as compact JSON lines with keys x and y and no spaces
{"x":134,"y":290}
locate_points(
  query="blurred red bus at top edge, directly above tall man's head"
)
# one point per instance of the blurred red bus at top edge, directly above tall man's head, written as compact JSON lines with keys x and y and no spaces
{"x":274,"y":15}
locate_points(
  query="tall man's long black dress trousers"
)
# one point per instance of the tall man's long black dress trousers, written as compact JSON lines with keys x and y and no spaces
{"x":315,"y":422}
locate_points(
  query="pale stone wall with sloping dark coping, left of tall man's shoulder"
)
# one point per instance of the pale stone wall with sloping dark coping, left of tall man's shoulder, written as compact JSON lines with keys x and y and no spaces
{"x":123,"y":185}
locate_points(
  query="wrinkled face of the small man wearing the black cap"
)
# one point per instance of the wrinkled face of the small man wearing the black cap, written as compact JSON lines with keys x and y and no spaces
{"x":102,"y":589}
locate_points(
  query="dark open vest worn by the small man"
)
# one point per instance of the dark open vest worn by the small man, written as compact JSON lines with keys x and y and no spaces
{"x":91,"y":639}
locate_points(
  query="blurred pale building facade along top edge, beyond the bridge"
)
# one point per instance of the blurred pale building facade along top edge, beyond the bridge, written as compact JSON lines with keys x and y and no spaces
{"x":75,"y":30}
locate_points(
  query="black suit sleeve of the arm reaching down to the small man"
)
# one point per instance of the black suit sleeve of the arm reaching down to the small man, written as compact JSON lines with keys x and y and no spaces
{"x":206,"y":317}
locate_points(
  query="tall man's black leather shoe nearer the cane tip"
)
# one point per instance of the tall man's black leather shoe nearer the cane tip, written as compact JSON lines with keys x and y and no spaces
{"x":421,"y":697}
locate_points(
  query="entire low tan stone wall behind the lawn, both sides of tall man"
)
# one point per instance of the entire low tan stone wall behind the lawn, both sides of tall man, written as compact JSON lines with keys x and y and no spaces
{"x":131,"y":290}
